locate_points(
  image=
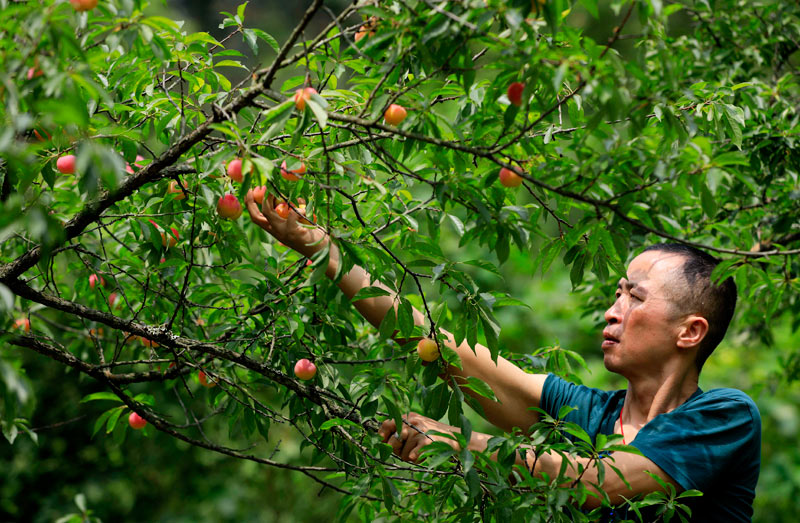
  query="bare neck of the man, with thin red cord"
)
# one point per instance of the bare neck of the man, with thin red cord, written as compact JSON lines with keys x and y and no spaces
{"x":647,"y":398}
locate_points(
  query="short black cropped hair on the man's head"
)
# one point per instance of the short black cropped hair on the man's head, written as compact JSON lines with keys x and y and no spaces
{"x":716,"y":303}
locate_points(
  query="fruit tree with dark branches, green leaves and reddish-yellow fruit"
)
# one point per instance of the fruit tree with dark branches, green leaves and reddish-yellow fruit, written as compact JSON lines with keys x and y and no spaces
{"x":133,"y":268}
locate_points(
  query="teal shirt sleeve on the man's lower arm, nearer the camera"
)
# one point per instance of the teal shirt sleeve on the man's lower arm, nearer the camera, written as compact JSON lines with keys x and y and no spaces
{"x":705,"y":439}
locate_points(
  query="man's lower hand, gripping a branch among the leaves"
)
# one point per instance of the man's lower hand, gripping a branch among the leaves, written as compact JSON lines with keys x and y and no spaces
{"x":414,"y":435}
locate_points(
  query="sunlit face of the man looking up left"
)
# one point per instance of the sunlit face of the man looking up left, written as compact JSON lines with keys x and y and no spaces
{"x":642,"y":324}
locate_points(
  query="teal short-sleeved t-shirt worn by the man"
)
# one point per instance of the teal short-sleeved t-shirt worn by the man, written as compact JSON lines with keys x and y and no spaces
{"x":711,"y":443}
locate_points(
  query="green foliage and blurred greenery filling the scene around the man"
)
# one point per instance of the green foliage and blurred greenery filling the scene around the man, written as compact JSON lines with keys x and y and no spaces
{"x":645,"y":121}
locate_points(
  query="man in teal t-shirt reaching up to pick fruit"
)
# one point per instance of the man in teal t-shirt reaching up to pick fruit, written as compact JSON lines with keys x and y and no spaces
{"x":666,"y":320}
